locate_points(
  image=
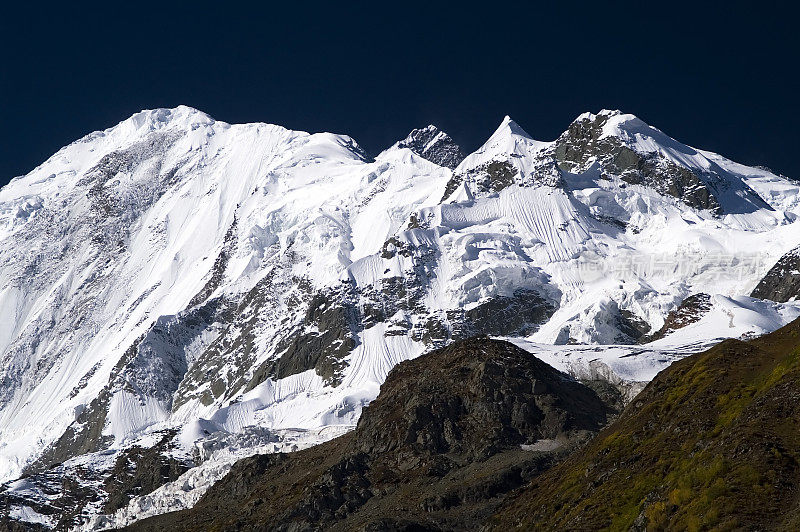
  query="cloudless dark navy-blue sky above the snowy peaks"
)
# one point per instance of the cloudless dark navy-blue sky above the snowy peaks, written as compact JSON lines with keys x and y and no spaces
{"x":720,"y":77}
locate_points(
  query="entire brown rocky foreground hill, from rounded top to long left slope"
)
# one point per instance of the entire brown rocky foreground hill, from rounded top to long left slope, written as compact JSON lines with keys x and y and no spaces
{"x":449,"y":435}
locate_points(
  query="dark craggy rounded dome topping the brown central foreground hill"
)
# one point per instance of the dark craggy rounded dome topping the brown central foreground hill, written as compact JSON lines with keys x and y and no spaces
{"x":477,"y":397}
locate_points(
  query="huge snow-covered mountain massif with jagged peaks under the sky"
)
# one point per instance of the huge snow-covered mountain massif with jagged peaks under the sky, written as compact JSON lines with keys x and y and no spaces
{"x":224,"y":284}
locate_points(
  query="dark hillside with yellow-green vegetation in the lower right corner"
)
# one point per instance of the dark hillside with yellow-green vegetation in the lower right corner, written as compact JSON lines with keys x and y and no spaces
{"x":711,"y":443}
